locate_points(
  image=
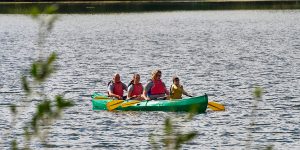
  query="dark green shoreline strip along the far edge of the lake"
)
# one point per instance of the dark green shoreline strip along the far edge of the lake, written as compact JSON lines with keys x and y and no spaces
{"x":120,"y":6}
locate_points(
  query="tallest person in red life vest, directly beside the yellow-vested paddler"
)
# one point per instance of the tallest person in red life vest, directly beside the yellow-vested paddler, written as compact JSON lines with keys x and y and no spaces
{"x":155,"y":88}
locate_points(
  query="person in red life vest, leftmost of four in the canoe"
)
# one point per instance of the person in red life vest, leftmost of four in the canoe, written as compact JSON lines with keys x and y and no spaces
{"x":116,"y":87}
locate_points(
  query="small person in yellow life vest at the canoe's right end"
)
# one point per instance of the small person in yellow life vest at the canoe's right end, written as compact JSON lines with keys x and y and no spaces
{"x":177,"y":90}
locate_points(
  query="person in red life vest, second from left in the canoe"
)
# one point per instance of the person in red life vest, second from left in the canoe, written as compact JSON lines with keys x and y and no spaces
{"x":135,"y":88}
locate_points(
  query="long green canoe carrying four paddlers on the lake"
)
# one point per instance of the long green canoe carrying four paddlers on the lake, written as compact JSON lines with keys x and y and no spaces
{"x":195,"y":104}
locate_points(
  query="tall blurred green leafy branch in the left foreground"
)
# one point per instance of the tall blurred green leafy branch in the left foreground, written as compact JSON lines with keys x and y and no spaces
{"x":40,"y":70}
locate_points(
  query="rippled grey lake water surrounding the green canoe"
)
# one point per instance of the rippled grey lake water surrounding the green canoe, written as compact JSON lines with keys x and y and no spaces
{"x":222,"y":53}
